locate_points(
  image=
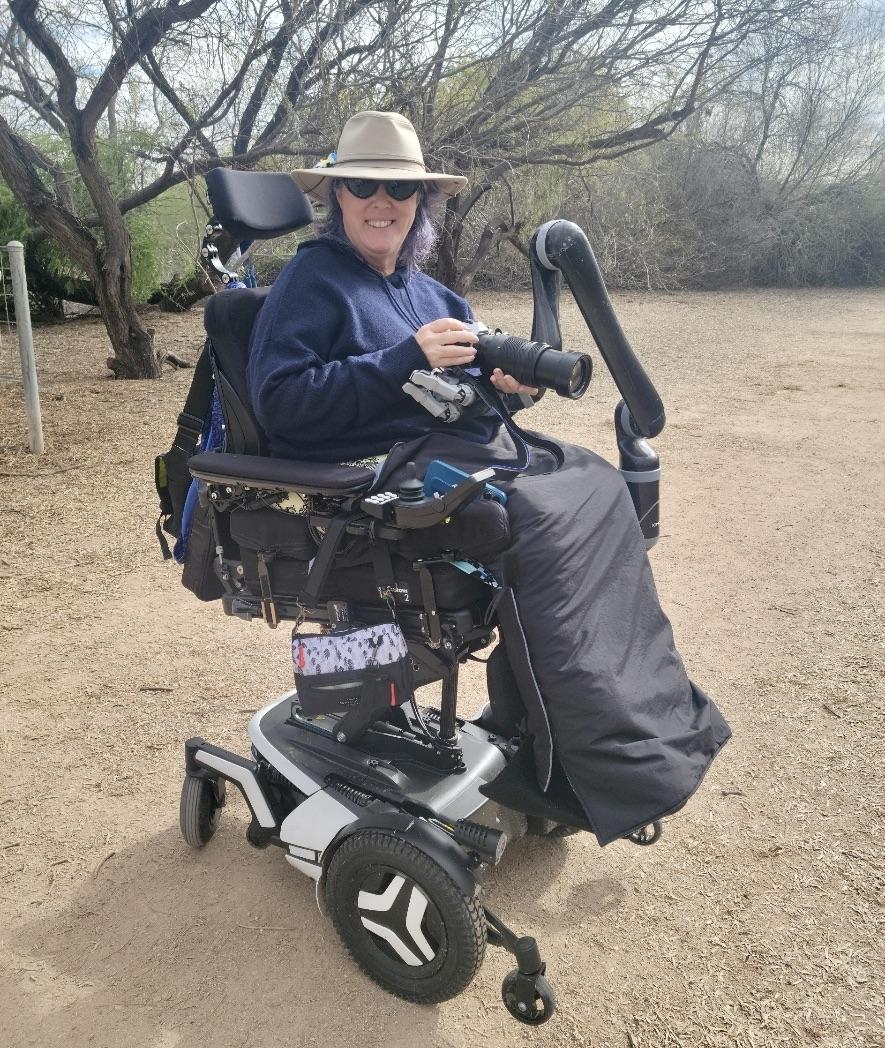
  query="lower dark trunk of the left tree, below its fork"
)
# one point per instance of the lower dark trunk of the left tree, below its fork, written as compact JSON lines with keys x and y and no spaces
{"x":134,"y":345}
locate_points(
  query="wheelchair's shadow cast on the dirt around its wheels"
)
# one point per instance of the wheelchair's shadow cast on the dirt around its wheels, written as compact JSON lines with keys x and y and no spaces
{"x":166,"y":947}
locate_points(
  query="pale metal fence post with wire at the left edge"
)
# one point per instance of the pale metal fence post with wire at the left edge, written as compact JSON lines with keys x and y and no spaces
{"x":17,"y":363}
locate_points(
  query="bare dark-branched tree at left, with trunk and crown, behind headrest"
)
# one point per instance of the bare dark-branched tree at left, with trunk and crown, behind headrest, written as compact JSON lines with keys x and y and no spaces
{"x":212,"y":72}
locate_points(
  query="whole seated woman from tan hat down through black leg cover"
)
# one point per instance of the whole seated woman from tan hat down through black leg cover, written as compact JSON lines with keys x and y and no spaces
{"x":346,"y":325}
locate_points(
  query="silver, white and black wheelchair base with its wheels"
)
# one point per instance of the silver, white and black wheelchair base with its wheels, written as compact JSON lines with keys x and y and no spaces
{"x":387,"y":836}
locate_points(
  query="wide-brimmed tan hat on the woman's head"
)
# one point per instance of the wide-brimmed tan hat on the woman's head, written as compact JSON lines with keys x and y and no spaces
{"x":378,"y":146}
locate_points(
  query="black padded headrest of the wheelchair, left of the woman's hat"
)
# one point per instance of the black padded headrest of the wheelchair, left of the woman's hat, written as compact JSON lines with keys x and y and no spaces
{"x":257,"y":205}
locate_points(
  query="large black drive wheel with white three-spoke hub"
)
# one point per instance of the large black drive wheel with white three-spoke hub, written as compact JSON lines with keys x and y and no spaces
{"x":404,"y":921}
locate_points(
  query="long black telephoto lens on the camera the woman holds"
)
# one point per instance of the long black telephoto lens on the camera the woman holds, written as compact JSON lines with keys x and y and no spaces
{"x":533,"y":363}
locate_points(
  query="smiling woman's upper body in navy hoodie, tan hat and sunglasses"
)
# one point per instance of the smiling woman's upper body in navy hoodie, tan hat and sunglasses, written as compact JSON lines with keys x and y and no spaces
{"x":351,"y":318}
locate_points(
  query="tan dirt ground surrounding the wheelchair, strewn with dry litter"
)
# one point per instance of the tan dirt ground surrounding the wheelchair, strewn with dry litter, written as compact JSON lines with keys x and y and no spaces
{"x":757,"y":922}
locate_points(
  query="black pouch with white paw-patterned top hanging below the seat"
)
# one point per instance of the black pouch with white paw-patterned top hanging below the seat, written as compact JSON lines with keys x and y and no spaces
{"x":357,"y":675}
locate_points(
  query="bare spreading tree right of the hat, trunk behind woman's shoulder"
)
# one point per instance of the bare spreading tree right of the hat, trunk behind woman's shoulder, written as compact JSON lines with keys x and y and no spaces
{"x":506,"y":89}
